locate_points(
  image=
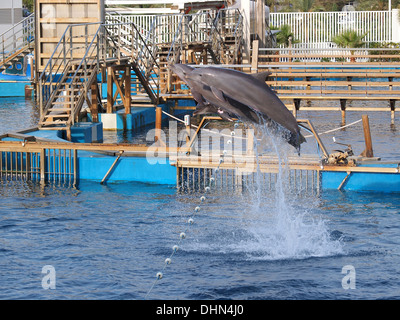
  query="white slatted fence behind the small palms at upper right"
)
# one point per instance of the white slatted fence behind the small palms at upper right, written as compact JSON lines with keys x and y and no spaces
{"x":318,"y":28}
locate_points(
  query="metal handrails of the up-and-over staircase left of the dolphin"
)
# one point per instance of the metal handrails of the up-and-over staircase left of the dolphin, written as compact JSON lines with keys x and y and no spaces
{"x":95,"y":45}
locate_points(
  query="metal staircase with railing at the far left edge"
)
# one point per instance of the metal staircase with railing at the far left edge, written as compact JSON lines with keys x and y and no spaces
{"x":17,"y":42}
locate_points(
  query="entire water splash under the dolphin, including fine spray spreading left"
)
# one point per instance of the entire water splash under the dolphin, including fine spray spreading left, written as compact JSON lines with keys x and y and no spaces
{"x":265,"y":224}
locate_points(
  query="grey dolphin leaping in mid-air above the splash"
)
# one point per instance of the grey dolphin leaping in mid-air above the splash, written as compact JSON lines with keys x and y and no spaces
{"x":238,"y":94}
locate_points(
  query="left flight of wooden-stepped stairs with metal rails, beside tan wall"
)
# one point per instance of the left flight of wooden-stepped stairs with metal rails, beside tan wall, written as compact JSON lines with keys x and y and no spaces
{"x":68,"y":78}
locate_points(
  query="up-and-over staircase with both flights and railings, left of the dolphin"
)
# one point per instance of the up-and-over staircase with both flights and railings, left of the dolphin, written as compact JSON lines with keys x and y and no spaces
{"x":70,"y":77}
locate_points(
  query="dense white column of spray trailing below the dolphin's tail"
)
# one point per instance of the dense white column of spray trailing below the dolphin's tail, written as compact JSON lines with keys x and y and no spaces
{"x":281,"y":223}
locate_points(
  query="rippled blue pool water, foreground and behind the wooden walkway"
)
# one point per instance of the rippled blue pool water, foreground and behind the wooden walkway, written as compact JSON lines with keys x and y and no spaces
{"x":109,"y":241}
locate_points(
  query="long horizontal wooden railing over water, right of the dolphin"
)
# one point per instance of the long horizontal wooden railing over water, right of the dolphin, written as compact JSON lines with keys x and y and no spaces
{"x":334,"y":74}
